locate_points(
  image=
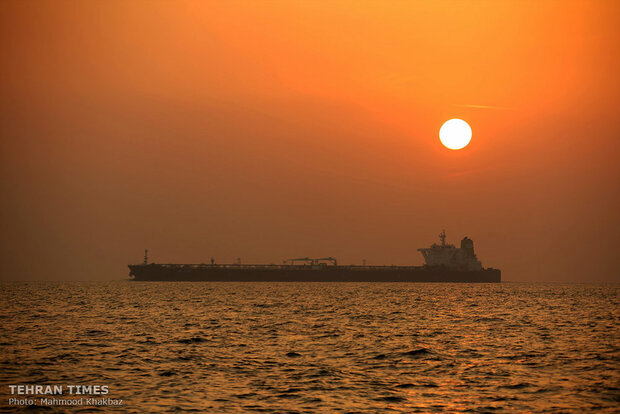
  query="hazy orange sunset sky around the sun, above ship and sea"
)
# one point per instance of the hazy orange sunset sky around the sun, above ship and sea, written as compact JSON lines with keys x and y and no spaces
{"x":271,"y":130}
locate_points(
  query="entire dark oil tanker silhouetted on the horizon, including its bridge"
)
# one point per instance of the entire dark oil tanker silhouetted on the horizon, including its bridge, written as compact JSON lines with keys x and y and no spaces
{"x":443,"y":263}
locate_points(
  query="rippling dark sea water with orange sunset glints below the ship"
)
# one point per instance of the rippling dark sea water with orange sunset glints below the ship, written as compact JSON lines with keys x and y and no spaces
{"x":317,"y":347}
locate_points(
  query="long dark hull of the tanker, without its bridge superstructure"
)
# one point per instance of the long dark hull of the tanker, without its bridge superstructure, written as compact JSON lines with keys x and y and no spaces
{"x":232,"y":273}
